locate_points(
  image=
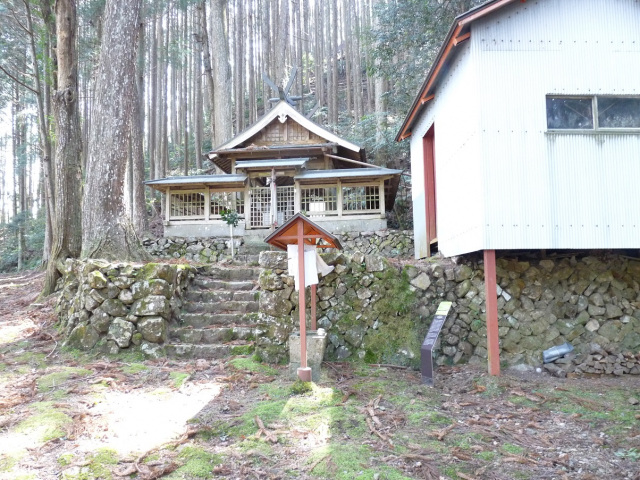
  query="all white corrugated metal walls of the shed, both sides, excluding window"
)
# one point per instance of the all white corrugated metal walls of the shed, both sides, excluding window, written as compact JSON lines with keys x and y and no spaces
{"x":503,"y":181}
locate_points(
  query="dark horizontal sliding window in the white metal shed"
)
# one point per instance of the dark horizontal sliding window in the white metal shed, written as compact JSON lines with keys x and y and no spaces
{"x":593,"y":113}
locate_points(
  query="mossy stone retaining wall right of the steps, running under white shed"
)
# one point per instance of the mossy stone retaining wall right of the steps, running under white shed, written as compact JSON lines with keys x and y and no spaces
{"x":380,"y":311}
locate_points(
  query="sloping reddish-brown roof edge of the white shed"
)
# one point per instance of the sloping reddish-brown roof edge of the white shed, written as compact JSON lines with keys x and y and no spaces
{"x":458,"y":33}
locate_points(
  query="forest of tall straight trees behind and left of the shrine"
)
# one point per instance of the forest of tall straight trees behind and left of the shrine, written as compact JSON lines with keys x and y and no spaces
{"x":199,"y":70}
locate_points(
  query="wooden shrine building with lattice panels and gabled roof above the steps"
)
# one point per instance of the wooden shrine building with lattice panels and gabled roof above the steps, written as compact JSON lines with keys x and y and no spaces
{"x":282,"y":165}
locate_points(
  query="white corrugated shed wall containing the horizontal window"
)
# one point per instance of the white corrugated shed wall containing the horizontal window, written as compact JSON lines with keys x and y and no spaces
{"x":545,"y":190}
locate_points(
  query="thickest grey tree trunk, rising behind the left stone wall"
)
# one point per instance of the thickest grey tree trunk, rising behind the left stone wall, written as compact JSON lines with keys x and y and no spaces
{"x":107,"y":230}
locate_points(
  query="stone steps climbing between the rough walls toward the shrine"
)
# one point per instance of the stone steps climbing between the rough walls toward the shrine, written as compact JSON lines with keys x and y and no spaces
{"x":214,"y":321}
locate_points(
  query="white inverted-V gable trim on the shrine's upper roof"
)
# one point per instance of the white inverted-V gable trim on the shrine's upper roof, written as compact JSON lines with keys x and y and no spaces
{"x":281,"y":111}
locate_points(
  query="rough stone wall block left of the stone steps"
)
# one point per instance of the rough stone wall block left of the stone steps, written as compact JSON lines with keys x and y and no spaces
{"x":115,"y":306}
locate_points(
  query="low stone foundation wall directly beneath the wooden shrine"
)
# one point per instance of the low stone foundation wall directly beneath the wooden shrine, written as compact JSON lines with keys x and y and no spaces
{"x":388,"y":243}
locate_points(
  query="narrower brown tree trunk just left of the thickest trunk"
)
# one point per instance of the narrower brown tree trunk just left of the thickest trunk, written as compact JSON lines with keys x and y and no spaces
{"x":67,"y":217}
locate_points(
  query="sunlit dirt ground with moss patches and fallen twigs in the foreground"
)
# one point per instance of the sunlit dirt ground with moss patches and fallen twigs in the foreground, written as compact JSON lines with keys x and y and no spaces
{"x":69,"y":415}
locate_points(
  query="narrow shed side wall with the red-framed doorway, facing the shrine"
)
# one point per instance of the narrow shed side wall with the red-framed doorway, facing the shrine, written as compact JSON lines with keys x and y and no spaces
{"x":457,"y":160}
